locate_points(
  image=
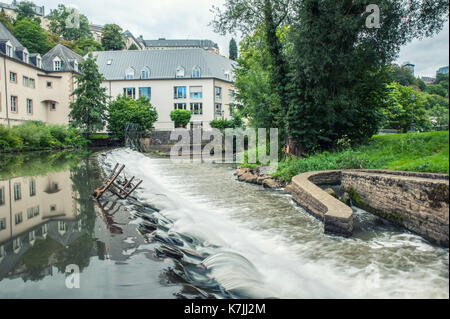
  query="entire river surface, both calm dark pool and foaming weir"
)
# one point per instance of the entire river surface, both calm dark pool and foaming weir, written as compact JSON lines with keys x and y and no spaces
{"x":192,"y":231}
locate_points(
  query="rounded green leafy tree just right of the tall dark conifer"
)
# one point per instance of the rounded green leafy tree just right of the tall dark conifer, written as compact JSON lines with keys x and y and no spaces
{"x":125,"y":110}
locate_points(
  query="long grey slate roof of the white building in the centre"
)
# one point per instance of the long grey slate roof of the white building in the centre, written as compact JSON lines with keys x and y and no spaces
{"x":164,"y":63}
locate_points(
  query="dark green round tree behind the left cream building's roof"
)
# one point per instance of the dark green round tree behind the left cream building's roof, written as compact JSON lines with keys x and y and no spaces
{"x":32,"y":36}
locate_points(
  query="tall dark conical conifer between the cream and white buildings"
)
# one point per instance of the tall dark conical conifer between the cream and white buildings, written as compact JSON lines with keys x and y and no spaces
{"x":88,"y":109}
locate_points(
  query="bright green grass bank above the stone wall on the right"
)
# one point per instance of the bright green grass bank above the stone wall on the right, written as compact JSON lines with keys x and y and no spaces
{"x":418,"y":152}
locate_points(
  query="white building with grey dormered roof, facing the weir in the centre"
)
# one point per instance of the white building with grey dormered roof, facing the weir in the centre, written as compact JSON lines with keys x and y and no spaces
{"x":188,"y":79}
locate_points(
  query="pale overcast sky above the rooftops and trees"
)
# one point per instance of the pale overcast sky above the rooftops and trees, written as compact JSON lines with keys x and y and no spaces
{"x":189,"y":19}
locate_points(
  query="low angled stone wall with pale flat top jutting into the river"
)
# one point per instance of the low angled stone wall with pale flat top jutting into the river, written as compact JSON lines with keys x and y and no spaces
{"x":337,"y":217}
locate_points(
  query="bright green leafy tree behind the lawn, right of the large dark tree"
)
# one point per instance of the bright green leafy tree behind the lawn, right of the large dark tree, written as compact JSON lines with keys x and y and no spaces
{"x":405,"y":107}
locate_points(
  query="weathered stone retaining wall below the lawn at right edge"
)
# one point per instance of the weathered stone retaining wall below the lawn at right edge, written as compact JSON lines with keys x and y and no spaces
{"x":418,"y":202}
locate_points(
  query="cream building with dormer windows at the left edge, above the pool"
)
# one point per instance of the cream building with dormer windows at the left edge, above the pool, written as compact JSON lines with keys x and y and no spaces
{"x":35,"y":87}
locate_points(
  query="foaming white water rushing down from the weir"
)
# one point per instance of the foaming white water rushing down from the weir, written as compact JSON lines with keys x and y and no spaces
{"x":263,"y":245}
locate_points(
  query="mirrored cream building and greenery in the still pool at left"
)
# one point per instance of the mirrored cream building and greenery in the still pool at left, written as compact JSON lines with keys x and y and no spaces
{"x":43,"y":220}
